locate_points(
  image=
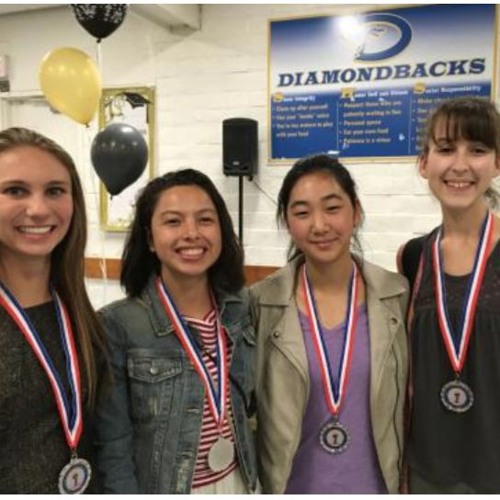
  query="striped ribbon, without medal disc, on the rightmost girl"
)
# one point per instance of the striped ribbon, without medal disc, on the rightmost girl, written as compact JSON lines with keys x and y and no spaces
{"x":457,"y":346}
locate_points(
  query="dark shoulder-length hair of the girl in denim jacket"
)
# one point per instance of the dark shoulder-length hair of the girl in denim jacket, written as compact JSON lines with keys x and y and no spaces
{"x":139,"y":262}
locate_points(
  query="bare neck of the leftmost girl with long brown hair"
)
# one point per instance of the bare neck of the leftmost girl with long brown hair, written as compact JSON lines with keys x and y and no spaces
{"x":28,"y":282}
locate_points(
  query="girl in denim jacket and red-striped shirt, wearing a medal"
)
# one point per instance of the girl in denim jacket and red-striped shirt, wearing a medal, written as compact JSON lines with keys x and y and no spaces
{"x":177,"y":417}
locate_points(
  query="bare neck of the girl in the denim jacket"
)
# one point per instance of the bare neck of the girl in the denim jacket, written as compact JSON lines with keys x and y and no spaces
{"x":191,"y":296}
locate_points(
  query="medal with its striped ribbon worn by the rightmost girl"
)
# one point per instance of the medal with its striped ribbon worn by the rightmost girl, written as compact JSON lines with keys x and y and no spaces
{"x":456,"y":395}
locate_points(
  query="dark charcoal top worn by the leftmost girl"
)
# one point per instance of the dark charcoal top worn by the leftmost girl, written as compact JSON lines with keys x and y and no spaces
{"x":33,"y":449}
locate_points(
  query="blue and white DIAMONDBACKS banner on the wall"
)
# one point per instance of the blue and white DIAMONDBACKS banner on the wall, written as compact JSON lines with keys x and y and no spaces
{"x":363,"y":85}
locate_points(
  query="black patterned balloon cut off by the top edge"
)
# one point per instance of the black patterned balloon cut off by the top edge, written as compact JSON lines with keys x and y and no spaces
{"x":100,"y":20}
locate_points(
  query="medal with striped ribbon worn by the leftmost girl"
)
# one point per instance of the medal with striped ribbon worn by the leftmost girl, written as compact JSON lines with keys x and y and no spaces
{"x":78,"y":471}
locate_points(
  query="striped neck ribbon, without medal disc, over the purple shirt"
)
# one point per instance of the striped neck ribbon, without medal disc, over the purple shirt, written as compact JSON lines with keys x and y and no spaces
{"x":333,"y":395}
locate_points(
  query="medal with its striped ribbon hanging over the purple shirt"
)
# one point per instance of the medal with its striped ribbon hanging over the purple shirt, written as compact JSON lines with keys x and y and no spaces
{"x":333,"y":437}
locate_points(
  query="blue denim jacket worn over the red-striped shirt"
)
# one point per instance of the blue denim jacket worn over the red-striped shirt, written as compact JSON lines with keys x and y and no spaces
{"x":149,"y":422}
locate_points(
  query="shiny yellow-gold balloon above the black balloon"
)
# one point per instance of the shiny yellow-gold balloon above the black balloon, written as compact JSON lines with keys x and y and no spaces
{"x":71,"y":83}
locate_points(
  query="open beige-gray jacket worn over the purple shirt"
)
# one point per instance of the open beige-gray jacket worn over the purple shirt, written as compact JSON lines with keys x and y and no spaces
{"x":283,"y":374}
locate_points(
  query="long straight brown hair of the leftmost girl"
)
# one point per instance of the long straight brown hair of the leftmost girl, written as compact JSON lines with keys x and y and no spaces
{"x":67,"y":268}
